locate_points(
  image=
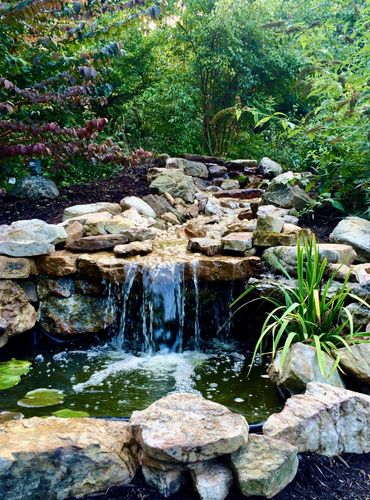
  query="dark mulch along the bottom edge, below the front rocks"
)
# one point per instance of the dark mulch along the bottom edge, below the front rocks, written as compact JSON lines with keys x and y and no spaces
{"x":318,"y":478}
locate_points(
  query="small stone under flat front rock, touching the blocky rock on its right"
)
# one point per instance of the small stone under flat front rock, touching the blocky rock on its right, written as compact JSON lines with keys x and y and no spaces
{"x":212,"y":479}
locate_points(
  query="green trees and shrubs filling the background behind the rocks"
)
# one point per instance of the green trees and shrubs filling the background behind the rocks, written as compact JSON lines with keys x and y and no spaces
{"x":238,"y":78}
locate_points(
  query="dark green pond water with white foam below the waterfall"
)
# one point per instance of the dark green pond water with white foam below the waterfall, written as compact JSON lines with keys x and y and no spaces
{"x":108,"y":382}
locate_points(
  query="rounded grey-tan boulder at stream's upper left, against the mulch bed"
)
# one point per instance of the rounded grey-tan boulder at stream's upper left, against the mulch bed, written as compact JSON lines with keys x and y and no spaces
{"x":176,"y":183}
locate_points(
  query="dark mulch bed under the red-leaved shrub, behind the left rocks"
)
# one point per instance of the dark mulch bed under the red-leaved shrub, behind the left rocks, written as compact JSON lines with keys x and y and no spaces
{"x":130,"y":182}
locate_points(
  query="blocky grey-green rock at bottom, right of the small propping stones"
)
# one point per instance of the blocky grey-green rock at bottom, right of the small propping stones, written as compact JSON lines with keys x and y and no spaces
{"x":264,"y":466}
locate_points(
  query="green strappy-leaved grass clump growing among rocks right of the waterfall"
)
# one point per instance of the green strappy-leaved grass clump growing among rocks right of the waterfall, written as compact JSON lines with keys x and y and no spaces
{"x":307,"y":311}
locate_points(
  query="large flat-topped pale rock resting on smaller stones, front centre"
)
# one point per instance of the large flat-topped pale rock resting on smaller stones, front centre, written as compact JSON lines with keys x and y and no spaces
{"x":183,"y":427}
